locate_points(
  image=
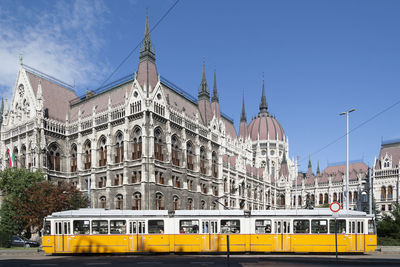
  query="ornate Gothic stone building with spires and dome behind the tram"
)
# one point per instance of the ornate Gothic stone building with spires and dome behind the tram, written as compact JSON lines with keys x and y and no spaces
{"x":143,"y":143}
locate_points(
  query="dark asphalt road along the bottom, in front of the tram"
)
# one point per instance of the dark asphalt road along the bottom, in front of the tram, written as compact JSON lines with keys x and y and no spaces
{"x":38,"y":259}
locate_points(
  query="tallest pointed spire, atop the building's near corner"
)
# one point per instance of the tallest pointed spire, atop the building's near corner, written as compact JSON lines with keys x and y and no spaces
{"x":147,"y":75}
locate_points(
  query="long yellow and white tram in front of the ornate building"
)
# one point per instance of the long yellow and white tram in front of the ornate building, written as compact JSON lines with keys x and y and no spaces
{"x":129,"y":231}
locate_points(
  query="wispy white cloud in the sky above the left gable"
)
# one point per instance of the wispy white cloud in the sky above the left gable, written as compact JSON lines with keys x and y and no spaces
{"x":61,"y":40}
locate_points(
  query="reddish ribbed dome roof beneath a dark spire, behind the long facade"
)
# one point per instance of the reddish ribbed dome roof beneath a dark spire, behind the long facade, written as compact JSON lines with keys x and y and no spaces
{"x":267,"y":127}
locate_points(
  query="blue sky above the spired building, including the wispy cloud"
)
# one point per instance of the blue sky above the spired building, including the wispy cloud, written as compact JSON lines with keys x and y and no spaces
{"x":319,"y":58}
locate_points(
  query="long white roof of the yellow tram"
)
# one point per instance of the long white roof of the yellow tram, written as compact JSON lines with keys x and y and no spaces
{"x":199,"y":213}
